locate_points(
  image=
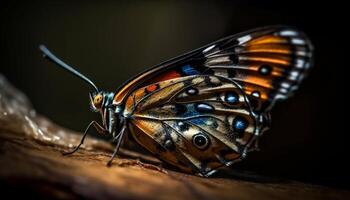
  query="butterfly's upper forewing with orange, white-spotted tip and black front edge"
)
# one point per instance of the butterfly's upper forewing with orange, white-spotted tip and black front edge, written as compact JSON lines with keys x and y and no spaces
{"x":269,"y":63}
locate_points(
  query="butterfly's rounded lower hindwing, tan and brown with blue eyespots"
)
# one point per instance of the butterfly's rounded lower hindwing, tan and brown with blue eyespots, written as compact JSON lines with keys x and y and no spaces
{"x":203,"y":121}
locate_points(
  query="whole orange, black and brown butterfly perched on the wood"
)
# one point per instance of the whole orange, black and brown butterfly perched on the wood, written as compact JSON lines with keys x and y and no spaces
{"x":206,"y":109}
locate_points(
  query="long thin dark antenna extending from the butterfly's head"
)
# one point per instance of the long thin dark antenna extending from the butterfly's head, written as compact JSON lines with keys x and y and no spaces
{"x":47,"y":54}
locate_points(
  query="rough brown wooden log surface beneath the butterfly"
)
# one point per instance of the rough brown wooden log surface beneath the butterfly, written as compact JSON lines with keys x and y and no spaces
{"x":31,"y":165}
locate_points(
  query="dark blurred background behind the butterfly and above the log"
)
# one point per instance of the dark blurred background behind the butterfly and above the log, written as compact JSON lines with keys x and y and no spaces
{"x":112,"y":41}
